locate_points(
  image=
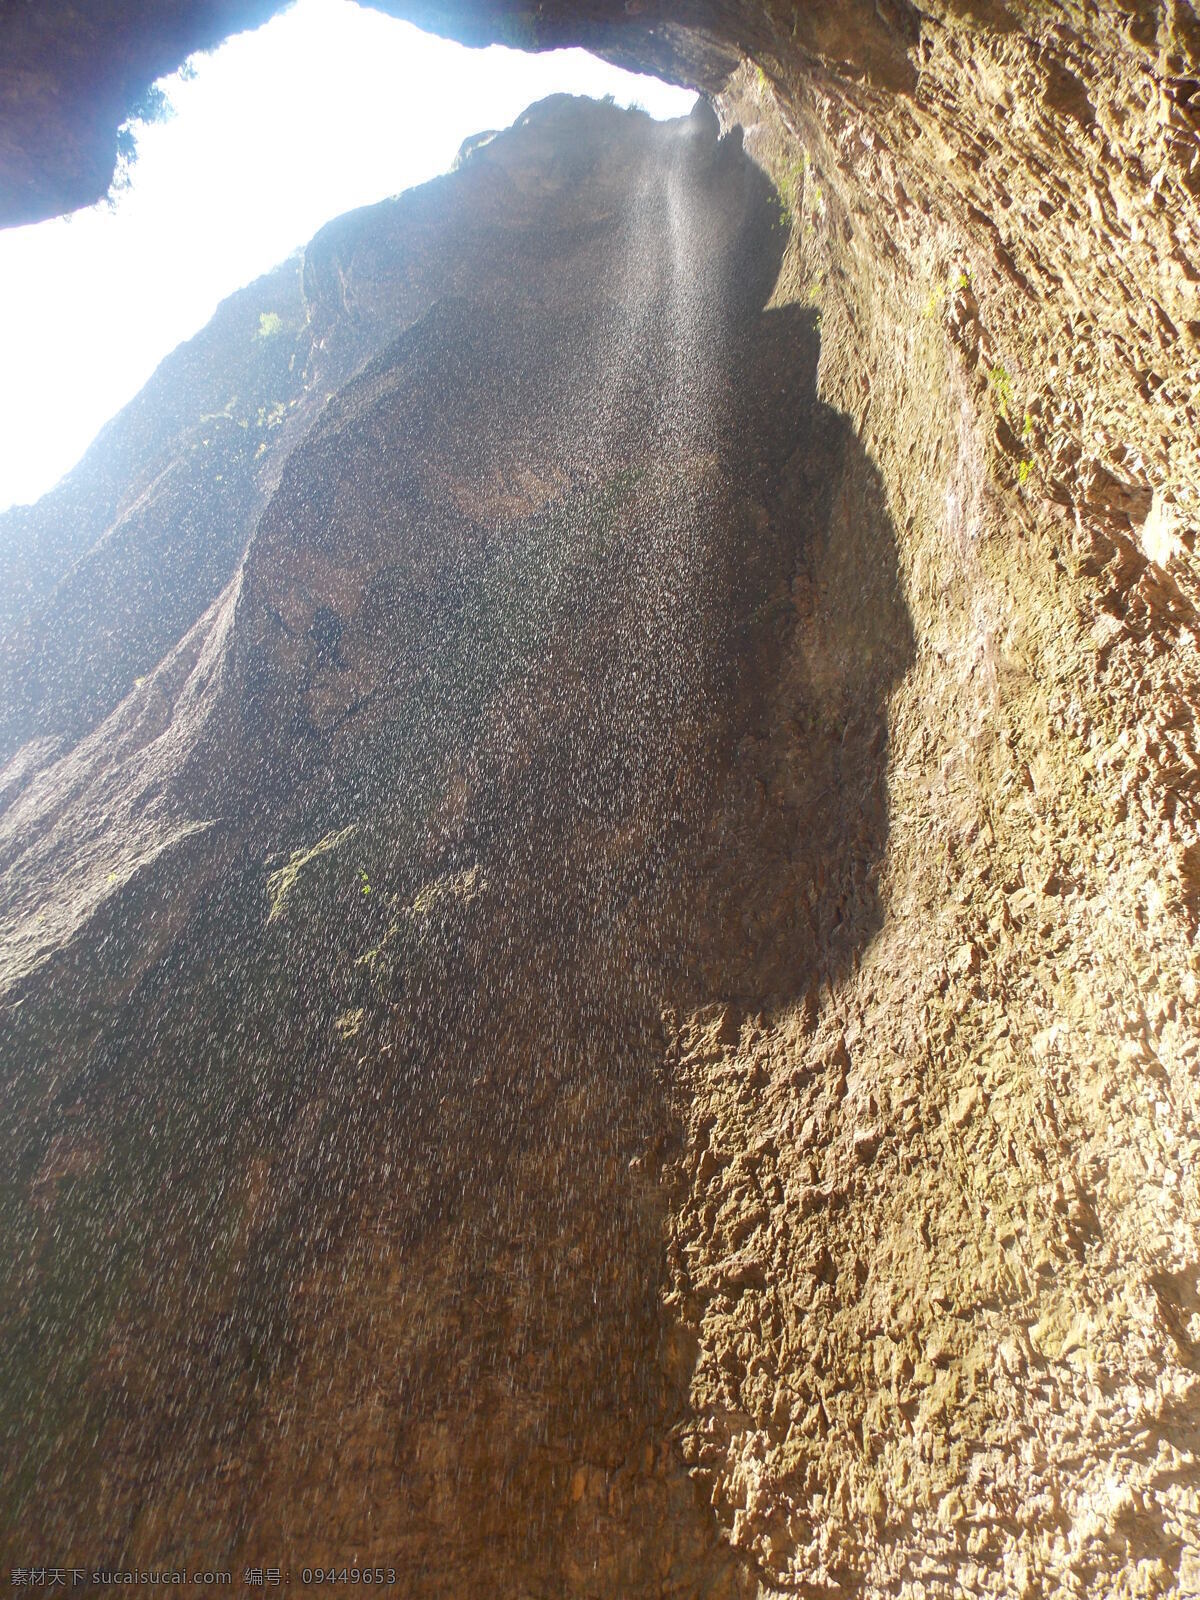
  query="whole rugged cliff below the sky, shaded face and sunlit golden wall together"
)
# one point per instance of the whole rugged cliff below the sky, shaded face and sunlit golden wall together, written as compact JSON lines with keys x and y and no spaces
{"x":601,"y":913}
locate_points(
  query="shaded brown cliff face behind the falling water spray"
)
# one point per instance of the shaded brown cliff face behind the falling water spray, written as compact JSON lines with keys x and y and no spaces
{"x":350,"y":942}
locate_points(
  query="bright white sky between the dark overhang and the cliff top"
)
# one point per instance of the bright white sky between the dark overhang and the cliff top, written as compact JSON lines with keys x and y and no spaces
{"x":327,"y":108}
